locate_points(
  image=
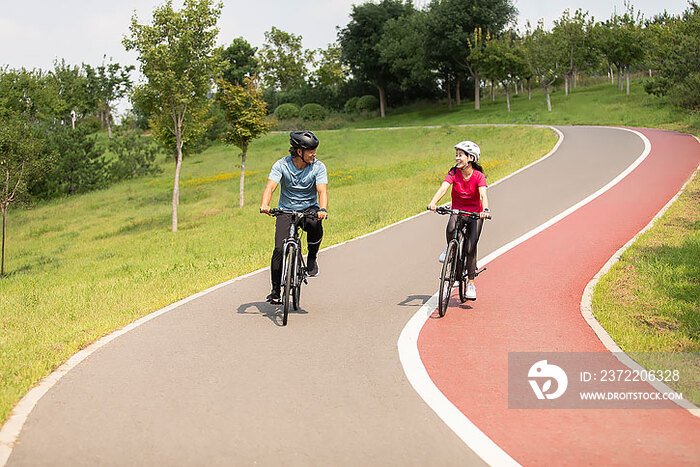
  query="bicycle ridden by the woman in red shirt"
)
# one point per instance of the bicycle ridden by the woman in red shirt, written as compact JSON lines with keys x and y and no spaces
{"x":451,"y":268}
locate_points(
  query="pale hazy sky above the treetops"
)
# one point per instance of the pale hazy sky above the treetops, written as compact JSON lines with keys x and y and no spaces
{"x":33,"y":33}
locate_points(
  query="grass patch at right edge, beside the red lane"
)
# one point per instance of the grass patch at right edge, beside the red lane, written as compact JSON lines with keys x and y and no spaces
{"x":650,"y":299}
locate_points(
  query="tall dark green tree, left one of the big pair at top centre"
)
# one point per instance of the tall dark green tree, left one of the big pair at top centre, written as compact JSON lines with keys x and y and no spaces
{"x":359,"y":39}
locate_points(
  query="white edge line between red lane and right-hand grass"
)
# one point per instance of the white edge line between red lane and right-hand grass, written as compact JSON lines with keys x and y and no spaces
{"x":608,"y":342}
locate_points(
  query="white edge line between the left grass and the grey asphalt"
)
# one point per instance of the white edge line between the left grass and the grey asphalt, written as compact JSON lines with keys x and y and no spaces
{"x":13,"y":426}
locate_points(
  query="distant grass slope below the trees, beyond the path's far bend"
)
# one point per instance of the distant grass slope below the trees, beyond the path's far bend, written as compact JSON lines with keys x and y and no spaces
{"x":600,"y":104}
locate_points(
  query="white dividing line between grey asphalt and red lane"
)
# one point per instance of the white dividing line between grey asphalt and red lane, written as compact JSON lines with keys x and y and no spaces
{"x":418,"y":376}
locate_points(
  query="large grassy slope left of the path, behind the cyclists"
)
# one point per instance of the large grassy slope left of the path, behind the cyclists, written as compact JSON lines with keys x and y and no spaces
{"x":81,"y":267}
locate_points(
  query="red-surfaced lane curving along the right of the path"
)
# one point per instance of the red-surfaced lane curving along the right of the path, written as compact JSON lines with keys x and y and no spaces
{"x":529,"y":301}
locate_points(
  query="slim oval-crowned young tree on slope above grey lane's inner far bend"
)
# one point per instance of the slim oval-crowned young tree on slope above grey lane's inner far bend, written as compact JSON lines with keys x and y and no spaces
{"x":542,"y":57}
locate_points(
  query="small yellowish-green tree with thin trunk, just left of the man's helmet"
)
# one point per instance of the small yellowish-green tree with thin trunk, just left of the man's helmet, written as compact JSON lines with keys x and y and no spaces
{"x":245,"y":114}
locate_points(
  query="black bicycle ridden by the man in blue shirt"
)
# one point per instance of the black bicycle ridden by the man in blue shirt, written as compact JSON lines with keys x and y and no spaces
{"x":293,"y":266}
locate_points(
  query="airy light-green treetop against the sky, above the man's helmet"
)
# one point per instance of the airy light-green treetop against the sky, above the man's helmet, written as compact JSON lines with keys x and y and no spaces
{"x":283,"y":60}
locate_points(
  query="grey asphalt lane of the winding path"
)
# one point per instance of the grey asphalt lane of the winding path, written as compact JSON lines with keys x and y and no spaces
{"x":218,"y":381}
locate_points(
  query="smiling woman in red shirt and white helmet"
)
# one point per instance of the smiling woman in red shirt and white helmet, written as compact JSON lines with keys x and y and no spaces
{"x":468,"y":194}
